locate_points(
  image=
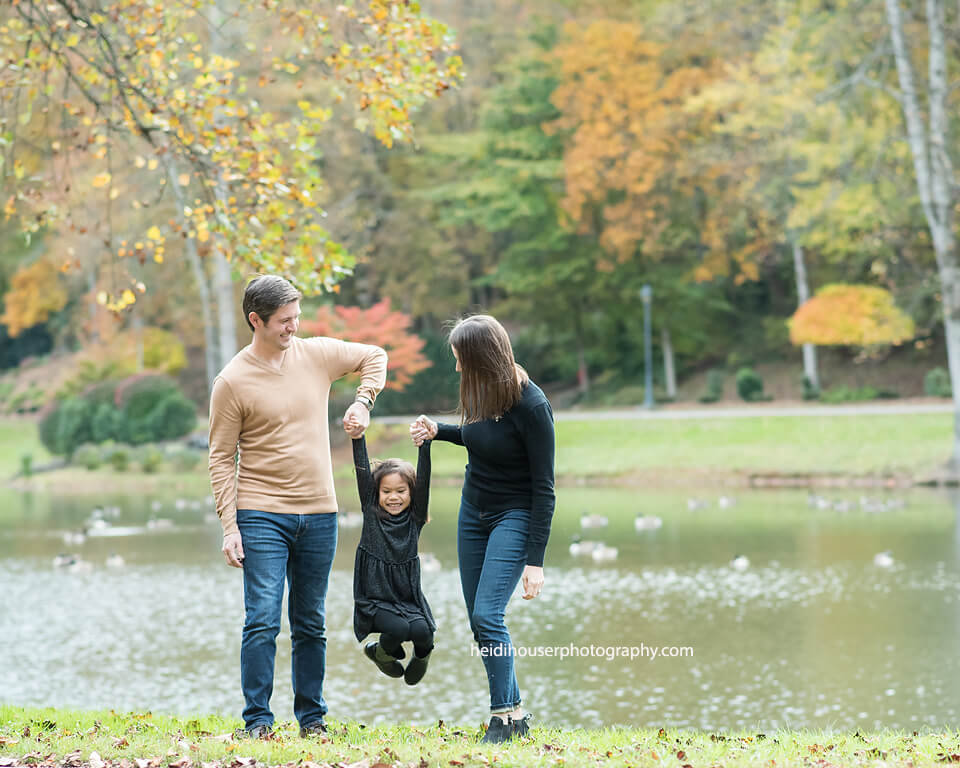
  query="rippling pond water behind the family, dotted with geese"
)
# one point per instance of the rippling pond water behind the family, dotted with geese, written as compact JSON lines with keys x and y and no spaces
{"x":810,"y":633}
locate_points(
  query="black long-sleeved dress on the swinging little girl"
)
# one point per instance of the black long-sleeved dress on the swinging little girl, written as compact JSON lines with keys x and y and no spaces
{"x":386,"y":573}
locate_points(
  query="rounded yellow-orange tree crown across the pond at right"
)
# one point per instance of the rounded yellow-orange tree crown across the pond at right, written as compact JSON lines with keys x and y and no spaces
{"x":850,"y":315}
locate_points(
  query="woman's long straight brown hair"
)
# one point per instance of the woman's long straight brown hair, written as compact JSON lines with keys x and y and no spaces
{"x":488,"y":371}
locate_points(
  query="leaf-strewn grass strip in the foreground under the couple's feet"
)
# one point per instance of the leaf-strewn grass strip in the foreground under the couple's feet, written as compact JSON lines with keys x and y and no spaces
{"x":47,"y":737}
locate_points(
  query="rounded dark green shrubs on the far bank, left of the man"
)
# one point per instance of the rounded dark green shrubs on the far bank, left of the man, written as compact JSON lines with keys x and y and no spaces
{"x":137,"y":410}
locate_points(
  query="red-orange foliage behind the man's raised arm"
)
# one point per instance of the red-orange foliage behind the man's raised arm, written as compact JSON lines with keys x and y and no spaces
{"x":377,"y":325}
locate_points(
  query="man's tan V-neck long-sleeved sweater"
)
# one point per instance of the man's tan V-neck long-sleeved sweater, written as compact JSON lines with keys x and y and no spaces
{"x":277,"y":417}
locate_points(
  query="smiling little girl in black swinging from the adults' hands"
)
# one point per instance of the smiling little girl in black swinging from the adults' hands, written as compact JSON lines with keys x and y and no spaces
{"x":386,"y":576}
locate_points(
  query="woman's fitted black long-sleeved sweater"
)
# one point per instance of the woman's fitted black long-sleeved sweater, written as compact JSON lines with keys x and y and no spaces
{"x":510,"y":464}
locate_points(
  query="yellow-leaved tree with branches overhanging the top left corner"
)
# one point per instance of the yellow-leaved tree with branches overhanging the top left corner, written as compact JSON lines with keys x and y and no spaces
{"x":153,"y":95}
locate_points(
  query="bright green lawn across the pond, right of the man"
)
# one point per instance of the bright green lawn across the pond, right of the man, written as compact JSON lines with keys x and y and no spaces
{"x":851,"y":444}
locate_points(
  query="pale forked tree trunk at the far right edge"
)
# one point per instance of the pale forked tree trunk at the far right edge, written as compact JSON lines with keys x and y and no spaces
{"x":934,"y":174}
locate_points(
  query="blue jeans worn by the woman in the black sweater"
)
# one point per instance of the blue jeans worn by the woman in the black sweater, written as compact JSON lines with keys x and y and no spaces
{"x":492,"y":548}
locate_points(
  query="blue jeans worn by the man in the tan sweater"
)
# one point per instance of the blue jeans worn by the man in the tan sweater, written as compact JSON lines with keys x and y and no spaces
{"x":300,"y":549}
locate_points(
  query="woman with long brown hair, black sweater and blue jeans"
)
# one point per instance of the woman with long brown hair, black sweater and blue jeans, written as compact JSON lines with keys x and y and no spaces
{"x":506,"y":424}
